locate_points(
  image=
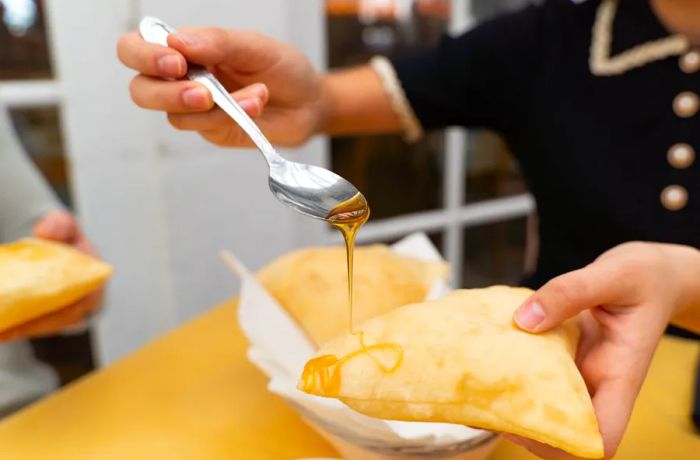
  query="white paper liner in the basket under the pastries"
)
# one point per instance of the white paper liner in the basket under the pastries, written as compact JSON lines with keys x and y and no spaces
{"x":280,"y":349}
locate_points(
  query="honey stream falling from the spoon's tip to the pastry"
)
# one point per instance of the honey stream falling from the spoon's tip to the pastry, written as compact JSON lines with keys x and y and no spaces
{"x":348,"y":217}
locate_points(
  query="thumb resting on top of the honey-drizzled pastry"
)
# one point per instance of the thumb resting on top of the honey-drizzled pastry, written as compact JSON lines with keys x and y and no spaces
{"x":567,"y":295}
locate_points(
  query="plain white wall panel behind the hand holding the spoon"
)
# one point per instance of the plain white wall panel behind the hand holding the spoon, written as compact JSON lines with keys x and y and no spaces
{"x":160,"y":204}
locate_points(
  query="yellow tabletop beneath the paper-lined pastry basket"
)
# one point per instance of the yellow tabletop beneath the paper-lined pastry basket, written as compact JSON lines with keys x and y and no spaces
{"x":193,"y":395}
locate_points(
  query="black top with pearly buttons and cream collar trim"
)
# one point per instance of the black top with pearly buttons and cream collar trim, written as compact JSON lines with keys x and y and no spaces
{"x":593,"y":146}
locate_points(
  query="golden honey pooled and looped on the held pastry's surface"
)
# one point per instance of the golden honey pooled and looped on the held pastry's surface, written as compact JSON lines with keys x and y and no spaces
{"x":322,"y":374}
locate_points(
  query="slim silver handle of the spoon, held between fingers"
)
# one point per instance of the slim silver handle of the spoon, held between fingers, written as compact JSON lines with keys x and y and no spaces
{"x":154,"y":30}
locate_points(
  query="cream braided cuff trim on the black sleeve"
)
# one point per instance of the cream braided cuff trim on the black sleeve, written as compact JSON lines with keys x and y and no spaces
{"x":413,"y":131}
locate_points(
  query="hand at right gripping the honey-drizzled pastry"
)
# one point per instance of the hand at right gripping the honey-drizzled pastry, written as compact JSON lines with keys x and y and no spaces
{"x":626,"y":298}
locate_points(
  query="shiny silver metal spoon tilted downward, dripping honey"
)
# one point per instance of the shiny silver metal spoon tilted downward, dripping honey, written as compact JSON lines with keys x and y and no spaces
{"x":310,"y":190}
